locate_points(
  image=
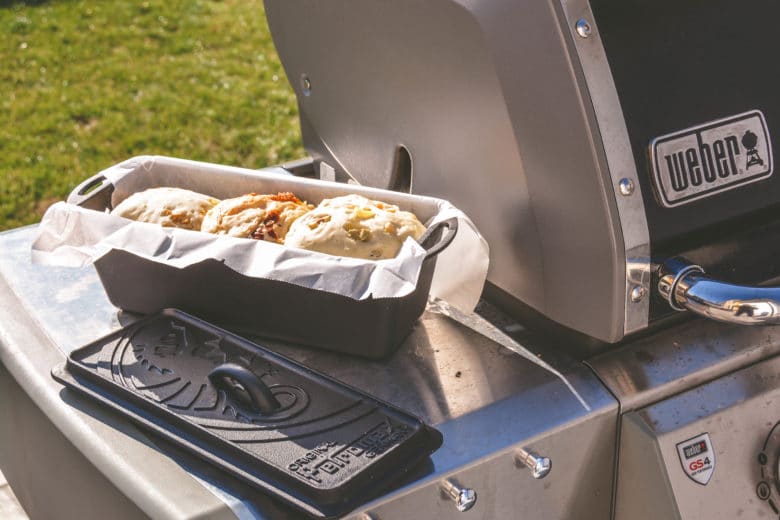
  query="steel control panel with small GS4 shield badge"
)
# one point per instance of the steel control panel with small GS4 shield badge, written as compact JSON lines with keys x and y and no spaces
{"x":737,"y":413}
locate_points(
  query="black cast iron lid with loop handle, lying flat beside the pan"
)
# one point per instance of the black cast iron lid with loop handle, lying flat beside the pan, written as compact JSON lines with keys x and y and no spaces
{"x":307,"y":439}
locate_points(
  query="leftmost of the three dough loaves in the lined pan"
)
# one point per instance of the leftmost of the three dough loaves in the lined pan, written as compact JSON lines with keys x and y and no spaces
{"x":169,"y":207}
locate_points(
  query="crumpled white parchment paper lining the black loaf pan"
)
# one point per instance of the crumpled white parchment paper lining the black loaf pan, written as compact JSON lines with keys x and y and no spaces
{"x":70,"y":235}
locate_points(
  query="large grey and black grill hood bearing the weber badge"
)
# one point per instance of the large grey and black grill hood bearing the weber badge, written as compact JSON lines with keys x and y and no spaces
{"x":589,"y":140}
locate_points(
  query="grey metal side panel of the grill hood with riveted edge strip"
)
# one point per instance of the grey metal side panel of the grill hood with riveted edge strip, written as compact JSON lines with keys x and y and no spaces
{"x":542,"y":167}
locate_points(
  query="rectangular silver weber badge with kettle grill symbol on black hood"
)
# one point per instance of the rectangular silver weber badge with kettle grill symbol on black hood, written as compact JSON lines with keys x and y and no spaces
{"x":710,"y":158}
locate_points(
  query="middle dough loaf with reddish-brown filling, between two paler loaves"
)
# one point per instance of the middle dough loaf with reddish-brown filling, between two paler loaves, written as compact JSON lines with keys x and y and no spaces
{"x":263,"y":217}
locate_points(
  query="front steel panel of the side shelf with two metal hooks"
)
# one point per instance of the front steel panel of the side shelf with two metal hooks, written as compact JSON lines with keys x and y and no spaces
{"x":505,"y":492}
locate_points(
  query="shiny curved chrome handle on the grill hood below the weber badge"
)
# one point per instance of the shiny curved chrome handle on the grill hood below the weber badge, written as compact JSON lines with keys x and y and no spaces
{"x":685,"y":286}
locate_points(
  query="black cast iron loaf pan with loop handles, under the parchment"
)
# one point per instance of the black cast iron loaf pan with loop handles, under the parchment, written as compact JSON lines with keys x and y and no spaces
{"x":372,"y":328}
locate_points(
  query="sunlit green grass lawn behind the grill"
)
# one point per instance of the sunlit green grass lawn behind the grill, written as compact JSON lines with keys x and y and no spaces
{"x":87,"y":84}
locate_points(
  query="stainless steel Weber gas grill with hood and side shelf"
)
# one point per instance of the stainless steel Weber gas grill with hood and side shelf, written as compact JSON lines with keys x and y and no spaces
{"x":618,"y":159}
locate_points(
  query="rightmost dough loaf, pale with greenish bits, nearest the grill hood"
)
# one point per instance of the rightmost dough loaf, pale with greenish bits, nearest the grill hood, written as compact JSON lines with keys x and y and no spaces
{"x":355,"y":226}
